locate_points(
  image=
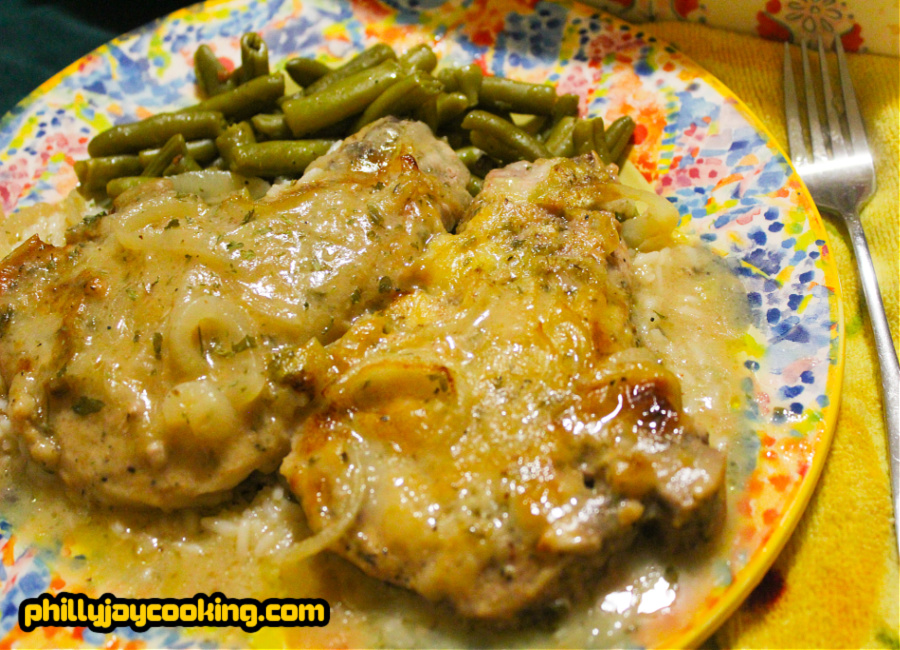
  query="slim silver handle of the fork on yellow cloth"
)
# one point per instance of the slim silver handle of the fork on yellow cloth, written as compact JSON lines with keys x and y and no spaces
{"x":887,"y":357}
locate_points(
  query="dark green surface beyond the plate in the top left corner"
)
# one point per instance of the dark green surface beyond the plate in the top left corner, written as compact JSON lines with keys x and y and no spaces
{"x":38,"y":38}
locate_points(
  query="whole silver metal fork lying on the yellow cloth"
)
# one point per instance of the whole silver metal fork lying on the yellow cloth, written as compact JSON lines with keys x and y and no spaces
{"x":840,"y":176}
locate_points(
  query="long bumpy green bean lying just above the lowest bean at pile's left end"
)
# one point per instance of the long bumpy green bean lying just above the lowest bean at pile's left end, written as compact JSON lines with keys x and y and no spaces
{"x":155,"y":132}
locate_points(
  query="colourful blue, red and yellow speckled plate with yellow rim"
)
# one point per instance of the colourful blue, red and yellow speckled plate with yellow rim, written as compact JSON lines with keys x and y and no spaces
{"x":696,"y":144}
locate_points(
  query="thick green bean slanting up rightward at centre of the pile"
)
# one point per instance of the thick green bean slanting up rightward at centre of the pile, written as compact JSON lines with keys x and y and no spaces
{"x":339,"y":100}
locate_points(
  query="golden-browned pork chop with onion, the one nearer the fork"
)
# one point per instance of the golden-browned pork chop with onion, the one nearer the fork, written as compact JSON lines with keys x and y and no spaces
{"x":497,"y":430}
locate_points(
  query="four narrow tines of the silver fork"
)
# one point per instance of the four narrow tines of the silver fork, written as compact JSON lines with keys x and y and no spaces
{"x":834,"y":136}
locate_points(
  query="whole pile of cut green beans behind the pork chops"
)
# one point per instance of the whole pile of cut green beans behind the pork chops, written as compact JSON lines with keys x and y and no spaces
{"x":247,"y":124}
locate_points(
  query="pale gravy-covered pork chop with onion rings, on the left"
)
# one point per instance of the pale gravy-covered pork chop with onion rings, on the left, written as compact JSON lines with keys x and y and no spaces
{"x":150,"y":361}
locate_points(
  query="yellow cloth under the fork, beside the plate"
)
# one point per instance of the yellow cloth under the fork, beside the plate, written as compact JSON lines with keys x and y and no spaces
{"x":835,"y":585}
